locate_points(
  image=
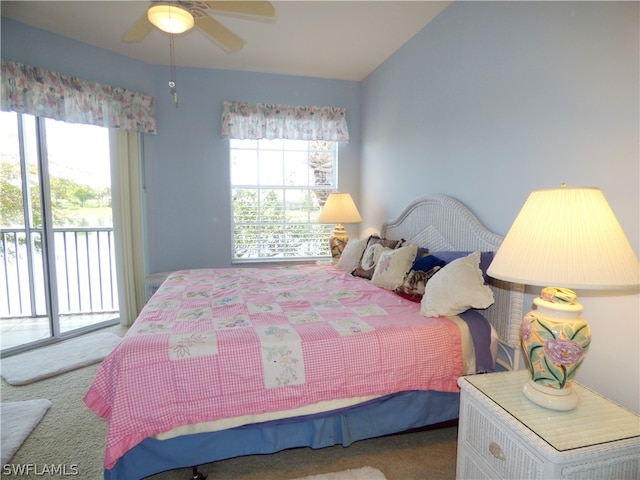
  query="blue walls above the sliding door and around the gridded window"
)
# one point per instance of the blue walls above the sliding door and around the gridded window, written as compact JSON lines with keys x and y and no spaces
{"x":186,"y":165}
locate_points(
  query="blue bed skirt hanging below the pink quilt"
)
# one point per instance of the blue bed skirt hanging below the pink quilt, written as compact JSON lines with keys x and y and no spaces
{"x":383,"y":416}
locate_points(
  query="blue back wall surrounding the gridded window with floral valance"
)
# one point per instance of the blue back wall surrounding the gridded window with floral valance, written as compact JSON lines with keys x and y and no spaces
{"x":187,"y":163}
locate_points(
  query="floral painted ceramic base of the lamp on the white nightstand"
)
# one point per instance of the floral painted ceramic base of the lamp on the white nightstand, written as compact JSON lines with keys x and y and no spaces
{"x":555,"y":340}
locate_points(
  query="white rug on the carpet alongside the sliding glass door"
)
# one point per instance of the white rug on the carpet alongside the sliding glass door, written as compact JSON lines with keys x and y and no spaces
{"x":55,"y":359}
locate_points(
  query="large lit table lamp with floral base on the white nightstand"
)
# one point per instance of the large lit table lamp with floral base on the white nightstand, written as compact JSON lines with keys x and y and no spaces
{"x":563,"y":238}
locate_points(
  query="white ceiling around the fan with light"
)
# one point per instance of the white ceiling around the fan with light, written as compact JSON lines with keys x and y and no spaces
{"x":327,"y":39}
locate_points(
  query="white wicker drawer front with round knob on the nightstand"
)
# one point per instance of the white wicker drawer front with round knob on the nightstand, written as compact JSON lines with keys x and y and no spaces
{"x":490,"y":441}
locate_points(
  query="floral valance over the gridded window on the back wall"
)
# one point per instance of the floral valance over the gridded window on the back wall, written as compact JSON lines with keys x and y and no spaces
{"x":242,"y":120}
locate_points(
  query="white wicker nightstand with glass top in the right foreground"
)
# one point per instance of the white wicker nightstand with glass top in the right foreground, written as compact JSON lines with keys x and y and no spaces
{"x":501,"y":434}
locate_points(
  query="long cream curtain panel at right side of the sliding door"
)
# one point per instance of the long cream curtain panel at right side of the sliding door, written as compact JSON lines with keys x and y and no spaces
{"x":126,"y":194}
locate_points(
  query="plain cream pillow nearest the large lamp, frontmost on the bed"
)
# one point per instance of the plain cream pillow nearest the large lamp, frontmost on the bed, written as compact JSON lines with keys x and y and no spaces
{"x":455,"y":288}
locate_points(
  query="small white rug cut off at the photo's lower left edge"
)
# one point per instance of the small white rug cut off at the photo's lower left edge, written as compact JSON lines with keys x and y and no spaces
{"x":17,"y":421}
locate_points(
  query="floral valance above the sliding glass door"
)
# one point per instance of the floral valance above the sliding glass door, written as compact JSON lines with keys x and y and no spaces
{"x":36,"y":91}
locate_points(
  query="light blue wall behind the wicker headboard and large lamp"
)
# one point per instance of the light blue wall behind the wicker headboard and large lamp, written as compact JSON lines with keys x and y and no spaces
{"x":494,"y":99}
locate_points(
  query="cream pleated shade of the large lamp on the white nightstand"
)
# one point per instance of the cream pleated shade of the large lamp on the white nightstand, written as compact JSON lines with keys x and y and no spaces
{"x":567,"y":237}
